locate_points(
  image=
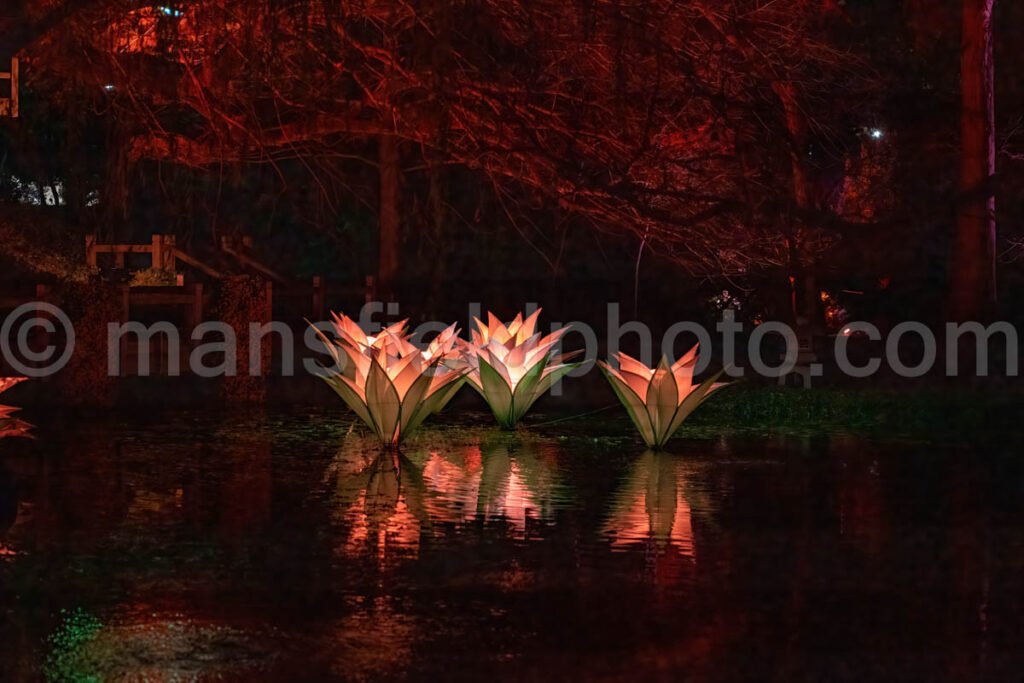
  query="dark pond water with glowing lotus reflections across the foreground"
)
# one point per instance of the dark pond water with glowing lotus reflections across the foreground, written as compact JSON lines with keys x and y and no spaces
{"x":280,"y":547}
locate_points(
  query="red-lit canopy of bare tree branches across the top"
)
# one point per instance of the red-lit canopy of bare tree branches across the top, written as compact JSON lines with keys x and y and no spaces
{"x":732,"y":138}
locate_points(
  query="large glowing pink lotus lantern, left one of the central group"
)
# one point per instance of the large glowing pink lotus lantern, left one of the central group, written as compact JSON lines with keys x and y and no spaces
{"x":388,"y":381}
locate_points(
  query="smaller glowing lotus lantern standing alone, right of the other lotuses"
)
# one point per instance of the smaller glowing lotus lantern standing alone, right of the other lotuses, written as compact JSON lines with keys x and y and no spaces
{"x":660,"y":400}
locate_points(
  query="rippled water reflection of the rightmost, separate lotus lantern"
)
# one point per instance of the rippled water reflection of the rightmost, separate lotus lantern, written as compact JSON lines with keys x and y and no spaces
{"x":653,"y":508}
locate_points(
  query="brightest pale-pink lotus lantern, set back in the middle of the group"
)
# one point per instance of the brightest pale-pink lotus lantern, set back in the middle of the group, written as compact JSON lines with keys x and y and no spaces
{"x":514,"y":366}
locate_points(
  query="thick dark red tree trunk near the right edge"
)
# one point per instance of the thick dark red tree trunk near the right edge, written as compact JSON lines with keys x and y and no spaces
{"x":973,"y":282}
